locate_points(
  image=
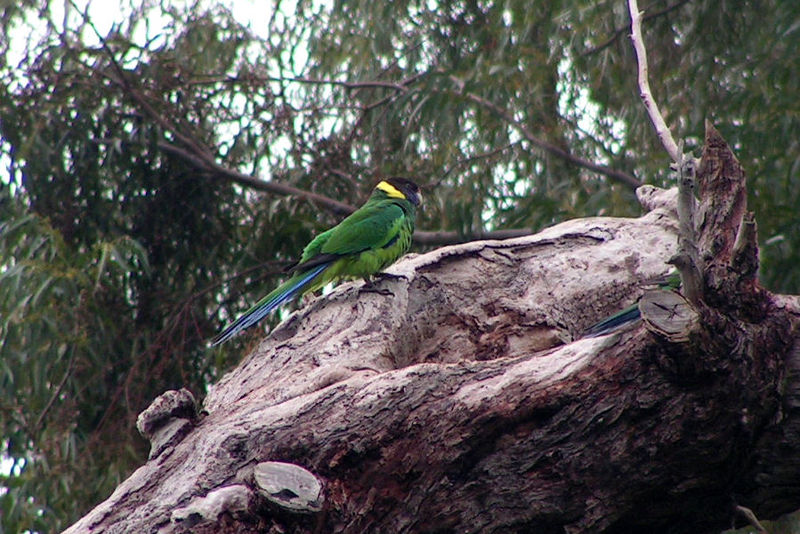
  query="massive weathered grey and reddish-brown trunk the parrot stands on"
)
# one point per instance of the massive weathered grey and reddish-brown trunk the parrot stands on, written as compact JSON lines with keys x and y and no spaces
{"x":456,"y":401}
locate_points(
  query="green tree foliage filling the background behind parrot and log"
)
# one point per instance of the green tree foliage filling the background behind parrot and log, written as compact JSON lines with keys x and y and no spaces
{"x":123,"y":251}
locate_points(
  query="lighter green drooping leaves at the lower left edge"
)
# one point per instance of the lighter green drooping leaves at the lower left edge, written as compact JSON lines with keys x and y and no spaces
{"x":55,"y":376}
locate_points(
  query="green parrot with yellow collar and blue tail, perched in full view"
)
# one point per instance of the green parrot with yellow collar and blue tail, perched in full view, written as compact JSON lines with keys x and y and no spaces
{"x":367,"y":241}
